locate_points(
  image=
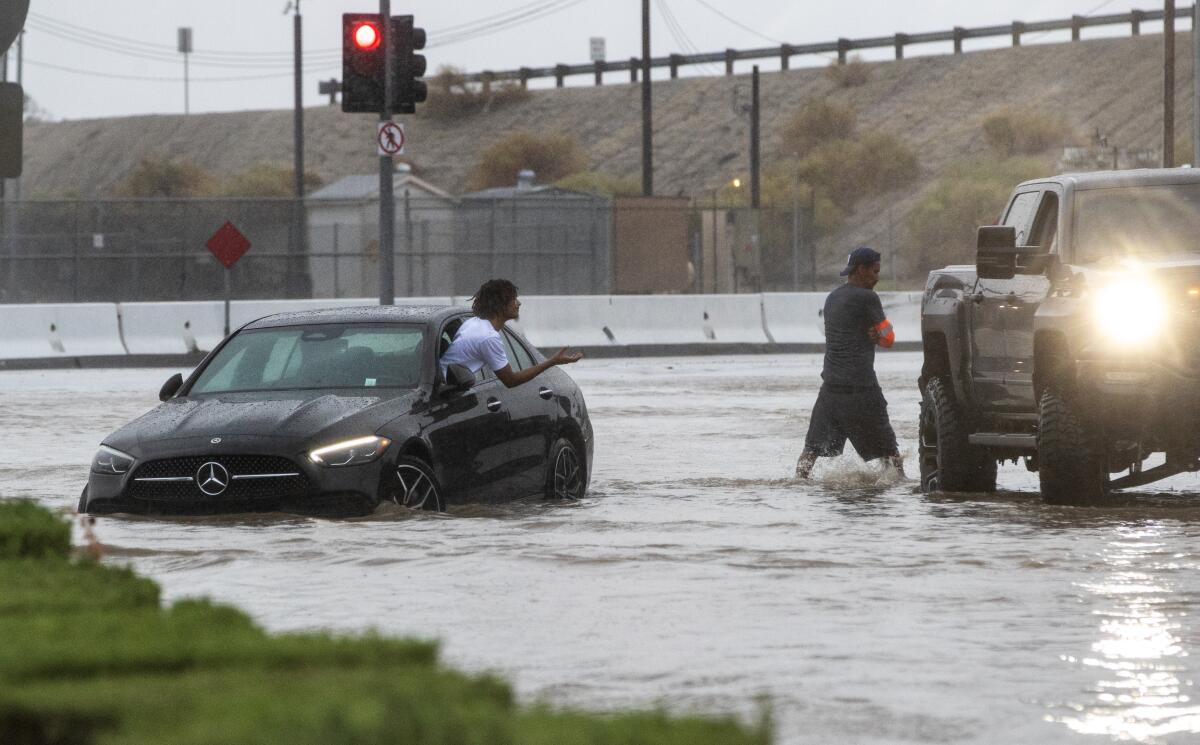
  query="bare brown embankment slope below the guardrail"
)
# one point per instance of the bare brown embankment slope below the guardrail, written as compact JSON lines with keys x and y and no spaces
{"x":937,"y":105}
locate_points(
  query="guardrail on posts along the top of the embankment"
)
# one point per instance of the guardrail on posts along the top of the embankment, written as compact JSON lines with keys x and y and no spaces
{"x":843,"y":47}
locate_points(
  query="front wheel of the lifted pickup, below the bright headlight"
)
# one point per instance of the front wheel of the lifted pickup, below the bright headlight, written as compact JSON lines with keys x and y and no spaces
{"x":1071,"y":464}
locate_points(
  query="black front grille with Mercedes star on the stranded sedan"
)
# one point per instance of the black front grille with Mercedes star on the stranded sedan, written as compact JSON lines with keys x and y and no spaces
{"x":244,"y":478}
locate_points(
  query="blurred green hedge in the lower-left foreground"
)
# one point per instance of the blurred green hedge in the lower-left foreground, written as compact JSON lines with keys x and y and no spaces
{"x":89,"y":658}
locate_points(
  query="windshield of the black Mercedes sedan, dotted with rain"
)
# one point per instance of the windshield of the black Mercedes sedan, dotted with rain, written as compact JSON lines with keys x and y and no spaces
{"x":326,"y":356}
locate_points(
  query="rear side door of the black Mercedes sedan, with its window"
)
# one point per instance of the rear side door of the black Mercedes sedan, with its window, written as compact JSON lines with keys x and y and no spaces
{"x":532,"y":414}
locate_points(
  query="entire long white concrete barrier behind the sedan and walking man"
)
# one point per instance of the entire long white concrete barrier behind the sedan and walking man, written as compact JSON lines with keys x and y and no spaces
{"x":100,"y":335}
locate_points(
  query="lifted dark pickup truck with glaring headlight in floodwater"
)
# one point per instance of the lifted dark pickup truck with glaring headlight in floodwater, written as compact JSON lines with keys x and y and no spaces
{"x":1072,"y":344}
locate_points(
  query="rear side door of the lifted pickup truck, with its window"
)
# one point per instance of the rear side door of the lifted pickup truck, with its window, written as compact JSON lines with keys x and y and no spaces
{"x":989,"y":305}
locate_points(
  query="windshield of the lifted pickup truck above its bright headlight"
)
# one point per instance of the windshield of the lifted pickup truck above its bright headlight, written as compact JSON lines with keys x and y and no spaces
{"x":1137,"y":221}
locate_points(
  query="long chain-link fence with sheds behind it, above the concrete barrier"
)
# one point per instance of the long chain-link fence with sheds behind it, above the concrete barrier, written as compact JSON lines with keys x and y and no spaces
{"x":566,"y":244}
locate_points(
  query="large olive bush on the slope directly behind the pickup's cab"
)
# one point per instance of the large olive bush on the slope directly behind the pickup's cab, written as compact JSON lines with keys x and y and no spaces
{"x":943,"y":227}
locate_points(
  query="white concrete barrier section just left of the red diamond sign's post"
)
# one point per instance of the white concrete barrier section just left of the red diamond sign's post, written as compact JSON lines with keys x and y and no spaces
{"x":172,"y":328}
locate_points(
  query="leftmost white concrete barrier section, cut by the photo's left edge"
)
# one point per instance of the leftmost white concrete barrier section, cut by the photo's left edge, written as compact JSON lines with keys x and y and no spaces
{"x":49,"y":332}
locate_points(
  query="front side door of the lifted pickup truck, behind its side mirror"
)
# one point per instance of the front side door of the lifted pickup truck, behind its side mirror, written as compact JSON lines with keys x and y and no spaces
{"x":1030,"y":290}
